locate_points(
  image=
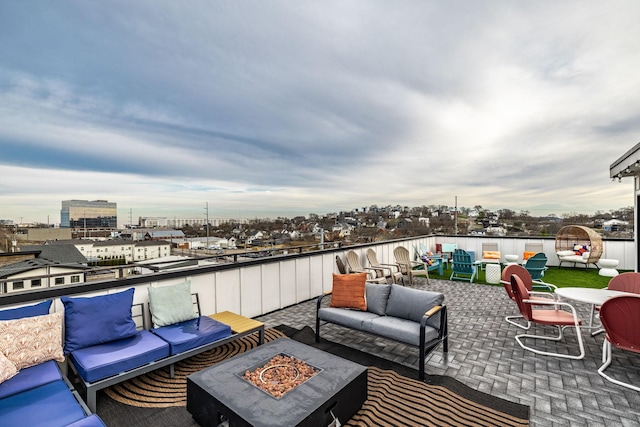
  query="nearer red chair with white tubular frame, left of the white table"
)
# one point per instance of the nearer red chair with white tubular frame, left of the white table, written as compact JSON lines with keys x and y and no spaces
{"x":555,"y":317}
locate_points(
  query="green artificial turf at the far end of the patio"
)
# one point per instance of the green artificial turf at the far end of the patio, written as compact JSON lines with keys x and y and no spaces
{"x":561,"y":277}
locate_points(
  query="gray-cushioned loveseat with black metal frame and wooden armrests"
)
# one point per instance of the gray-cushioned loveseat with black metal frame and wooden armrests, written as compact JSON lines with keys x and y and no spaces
{"x":411,"y":316}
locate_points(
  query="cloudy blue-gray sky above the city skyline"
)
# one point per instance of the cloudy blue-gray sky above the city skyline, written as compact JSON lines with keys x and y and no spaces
{"x":279,"y":108}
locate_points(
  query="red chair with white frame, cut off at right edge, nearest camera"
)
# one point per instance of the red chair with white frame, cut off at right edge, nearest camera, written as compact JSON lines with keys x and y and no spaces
{"x":620,"y":317}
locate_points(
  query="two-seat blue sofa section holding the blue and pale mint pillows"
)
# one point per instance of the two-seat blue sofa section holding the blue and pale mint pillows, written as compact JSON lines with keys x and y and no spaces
{"x":130,"y":350}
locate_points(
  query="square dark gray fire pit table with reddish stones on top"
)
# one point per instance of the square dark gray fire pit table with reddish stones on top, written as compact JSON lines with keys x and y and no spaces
{"x":336,"y":388}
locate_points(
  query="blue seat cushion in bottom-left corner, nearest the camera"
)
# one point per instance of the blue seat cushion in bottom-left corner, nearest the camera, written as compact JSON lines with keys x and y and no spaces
{"x":50,"y":405}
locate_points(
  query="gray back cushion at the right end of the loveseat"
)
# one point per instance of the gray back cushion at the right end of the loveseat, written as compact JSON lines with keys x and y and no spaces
{"x":411,"y":304}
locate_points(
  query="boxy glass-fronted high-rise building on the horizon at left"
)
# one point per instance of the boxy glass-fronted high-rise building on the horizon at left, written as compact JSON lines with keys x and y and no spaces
{"x":88,"y":214}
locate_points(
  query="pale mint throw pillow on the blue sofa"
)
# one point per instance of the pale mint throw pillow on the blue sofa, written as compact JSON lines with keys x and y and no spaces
{"x":171,"y":304}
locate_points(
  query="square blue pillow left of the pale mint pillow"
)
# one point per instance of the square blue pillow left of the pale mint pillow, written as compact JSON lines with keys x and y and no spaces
{"x":97,"y":320}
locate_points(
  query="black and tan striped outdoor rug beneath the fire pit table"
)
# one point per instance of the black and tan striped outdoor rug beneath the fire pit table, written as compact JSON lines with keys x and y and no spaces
{"x":393,"y":400}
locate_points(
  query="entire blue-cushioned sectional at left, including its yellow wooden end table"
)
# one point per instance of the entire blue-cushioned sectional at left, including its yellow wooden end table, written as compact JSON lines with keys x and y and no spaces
{"x":103,"y":345}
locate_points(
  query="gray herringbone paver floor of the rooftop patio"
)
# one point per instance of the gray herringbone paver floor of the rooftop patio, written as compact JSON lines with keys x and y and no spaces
{"x":484,"y":355}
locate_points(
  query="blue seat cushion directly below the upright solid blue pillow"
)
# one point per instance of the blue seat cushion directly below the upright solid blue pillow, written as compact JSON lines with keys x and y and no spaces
{"x":105,"y":360}
